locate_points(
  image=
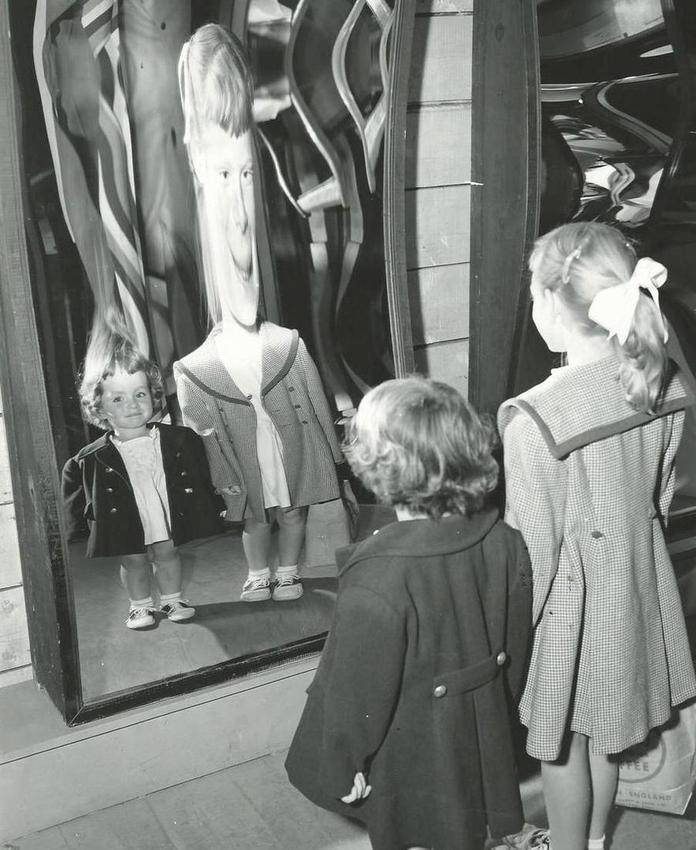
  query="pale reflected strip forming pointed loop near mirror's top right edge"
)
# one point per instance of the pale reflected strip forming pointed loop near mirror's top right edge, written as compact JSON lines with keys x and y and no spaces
{"x":370,"y":130}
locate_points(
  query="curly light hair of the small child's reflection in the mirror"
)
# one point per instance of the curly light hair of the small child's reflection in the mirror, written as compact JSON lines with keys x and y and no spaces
{"x":107,"y":354}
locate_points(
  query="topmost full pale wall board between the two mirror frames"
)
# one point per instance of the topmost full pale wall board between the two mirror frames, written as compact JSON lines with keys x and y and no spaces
{"x":441,"y":59}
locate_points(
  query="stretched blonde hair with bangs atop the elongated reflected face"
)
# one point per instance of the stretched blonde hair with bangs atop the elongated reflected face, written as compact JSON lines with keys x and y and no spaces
{"x":215,"y":82}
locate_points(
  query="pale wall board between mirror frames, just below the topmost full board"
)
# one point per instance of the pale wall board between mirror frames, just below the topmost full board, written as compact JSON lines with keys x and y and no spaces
{"x":440,"y":154}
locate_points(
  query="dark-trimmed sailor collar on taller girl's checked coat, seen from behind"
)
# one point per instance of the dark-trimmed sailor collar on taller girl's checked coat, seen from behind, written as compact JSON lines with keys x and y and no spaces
{"x":578,"y":405}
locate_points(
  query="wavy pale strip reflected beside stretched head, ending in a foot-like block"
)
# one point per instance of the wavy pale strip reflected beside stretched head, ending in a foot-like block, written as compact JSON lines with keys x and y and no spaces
{"x":330,"y":192}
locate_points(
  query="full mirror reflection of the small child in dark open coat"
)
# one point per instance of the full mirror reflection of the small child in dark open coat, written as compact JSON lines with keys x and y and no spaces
{"x":142,"y":488}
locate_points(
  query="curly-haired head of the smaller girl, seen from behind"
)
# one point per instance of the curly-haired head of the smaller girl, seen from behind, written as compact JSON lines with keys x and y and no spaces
{"x":418,"y":443}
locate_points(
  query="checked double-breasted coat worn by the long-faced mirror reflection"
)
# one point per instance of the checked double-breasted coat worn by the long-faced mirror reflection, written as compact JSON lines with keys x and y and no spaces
{"x":292,"y":393}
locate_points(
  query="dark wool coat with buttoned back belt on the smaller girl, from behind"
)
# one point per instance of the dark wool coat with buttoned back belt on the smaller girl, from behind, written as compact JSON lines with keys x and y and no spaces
{"x":430,"y":636}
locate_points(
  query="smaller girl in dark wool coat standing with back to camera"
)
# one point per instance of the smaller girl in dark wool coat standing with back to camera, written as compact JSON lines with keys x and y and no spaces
{"x":406,"y":725}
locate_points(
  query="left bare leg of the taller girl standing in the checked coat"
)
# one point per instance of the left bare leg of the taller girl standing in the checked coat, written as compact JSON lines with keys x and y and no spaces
{"x":567,"y":793}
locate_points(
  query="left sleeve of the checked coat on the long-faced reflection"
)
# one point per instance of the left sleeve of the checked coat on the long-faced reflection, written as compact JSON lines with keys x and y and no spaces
{"x":224,"y":469}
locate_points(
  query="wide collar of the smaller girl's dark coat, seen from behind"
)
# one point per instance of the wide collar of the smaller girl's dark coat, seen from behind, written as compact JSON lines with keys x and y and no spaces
{"x":416,"y":538}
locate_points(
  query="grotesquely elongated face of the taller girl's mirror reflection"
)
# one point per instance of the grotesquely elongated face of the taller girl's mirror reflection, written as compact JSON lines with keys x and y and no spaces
{"x":225,"y":168}
